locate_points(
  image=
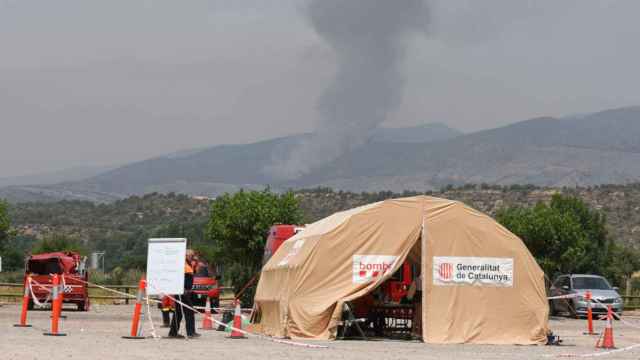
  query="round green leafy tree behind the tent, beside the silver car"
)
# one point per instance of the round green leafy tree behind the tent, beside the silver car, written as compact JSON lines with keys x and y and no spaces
{"x":565,"y":236}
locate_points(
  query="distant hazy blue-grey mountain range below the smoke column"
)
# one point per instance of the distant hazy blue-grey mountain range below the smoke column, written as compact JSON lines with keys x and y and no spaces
{"x":590,"y":149}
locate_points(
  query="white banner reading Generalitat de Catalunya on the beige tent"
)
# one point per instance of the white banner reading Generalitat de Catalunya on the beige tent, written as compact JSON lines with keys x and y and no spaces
{"x":478,"y":271}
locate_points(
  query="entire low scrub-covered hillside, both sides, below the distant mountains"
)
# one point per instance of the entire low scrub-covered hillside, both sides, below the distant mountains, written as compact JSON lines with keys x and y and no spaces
{"x":122,"y":228}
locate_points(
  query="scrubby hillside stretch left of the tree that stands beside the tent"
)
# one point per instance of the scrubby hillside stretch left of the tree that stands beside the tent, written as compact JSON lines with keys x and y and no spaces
{"x":120,"y":228}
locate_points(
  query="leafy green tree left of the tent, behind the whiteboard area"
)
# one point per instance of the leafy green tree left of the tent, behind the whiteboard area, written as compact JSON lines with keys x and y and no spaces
{"x":237,"y":231}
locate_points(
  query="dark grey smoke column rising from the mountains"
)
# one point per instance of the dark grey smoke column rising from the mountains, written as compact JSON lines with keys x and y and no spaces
{"x":369,"y":38}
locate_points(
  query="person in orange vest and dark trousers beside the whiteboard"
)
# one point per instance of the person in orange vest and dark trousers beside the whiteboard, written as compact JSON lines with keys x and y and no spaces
{"x":187,"y":299}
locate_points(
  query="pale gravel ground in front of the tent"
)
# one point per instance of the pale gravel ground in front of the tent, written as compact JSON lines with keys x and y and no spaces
{"x":97,"y":335}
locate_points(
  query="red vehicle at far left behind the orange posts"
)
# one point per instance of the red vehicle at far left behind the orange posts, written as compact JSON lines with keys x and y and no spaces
{"x":71,"y":265}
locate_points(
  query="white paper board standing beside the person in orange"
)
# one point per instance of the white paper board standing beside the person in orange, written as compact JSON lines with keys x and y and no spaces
{"x":165,"y":266}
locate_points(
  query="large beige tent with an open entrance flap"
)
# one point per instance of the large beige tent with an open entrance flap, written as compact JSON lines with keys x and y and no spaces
{"x":481,"y":284}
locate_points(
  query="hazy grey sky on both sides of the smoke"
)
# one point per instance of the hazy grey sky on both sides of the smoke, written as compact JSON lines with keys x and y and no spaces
{"x":93,"y":83}
